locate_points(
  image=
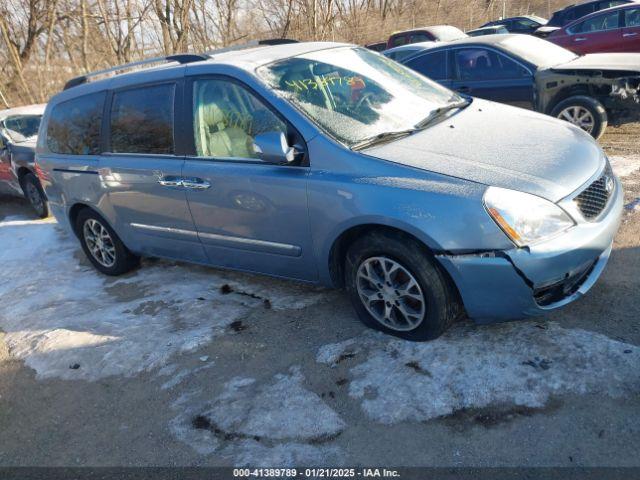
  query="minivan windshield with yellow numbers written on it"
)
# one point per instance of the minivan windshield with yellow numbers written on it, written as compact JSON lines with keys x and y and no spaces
{"x":354,"y":94}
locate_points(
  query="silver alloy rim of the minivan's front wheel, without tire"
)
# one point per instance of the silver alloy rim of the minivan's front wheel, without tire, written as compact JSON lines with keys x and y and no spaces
{"x":391,"y":294}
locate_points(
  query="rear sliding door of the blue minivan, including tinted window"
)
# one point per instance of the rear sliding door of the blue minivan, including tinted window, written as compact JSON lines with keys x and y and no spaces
{"x":142,"y":168}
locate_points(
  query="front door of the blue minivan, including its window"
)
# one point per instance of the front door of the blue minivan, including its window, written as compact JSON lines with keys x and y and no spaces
{"x":250,"y":215}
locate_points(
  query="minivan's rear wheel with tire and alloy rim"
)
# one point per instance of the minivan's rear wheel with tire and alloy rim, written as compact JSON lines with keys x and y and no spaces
{"x":102,"y":246}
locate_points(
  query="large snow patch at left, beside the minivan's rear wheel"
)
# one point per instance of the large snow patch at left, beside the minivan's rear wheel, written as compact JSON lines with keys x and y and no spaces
{"x":70,"y":315}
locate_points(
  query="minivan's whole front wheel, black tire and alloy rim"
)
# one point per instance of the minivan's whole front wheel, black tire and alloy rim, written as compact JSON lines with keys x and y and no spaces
{"x":395,"y":286}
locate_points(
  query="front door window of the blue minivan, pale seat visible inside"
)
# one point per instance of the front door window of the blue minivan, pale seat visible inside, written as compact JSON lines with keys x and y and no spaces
{"x":227,"y":117}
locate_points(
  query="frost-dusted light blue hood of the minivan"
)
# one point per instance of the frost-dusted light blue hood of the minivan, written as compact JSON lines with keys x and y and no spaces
{"x":503,"y":146}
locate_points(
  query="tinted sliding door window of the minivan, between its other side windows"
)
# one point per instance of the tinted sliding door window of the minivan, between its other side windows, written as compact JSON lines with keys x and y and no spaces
{"x":142,"y":120}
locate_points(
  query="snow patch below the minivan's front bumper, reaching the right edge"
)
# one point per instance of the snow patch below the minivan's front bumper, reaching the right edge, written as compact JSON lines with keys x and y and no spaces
{"x":520,"y":363}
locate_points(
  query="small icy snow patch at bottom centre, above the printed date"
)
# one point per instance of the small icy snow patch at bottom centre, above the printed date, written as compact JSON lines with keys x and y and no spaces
{"x":278,"y":423}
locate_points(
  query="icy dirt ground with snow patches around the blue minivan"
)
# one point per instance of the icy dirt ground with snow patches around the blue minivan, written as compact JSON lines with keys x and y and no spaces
{"x":183,"y":365}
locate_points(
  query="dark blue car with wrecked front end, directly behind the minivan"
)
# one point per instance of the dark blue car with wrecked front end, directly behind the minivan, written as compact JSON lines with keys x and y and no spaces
{"x":525,"y":71}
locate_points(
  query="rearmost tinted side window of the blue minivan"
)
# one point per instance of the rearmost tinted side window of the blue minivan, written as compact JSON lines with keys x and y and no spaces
{"x":74,"y":126}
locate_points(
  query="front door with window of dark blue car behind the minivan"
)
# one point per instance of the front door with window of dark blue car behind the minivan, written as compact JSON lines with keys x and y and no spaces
{"x":486,"y":73}
